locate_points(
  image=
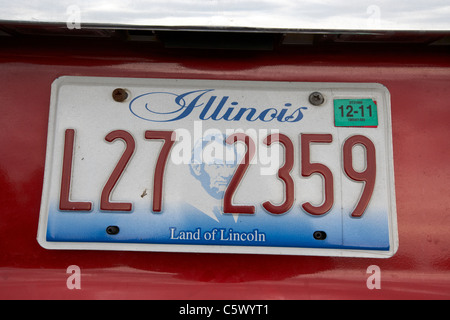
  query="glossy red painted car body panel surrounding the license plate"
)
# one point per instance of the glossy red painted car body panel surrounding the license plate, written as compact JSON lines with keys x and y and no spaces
{"x":418,"y":79}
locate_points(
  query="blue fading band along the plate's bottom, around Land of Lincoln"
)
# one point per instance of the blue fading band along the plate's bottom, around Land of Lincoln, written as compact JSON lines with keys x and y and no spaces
{"x":293,"y":229}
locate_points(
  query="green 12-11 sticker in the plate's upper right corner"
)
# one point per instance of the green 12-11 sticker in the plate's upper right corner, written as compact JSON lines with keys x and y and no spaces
{"x":355,"y":113}
